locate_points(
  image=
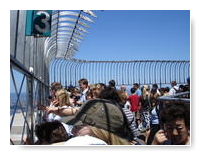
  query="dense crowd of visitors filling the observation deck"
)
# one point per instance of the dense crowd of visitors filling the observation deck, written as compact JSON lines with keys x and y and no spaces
{"x":100,"y":114}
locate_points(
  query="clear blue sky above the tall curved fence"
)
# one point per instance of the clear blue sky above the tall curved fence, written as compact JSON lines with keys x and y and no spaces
{"x":138,"y":35}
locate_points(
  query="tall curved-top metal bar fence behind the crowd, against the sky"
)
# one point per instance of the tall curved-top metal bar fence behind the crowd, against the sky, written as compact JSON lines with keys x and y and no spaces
{"x":69,"y":71}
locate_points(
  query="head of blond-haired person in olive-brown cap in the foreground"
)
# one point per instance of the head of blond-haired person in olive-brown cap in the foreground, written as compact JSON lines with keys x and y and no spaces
{"x":103,"y":120}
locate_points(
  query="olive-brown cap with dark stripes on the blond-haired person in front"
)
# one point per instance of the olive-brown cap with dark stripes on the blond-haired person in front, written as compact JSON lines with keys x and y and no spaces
{"x":102,"y":114}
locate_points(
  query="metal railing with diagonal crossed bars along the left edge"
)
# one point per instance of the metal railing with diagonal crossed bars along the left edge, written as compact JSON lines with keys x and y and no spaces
{"x":25,"y":113}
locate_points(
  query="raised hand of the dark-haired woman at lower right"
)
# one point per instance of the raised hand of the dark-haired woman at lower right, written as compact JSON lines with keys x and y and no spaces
{"x":159,"y":138}
